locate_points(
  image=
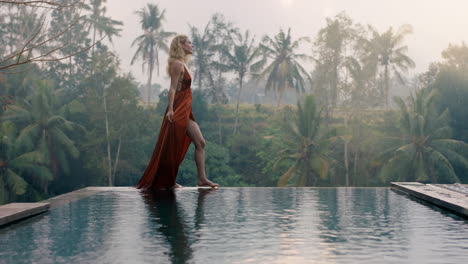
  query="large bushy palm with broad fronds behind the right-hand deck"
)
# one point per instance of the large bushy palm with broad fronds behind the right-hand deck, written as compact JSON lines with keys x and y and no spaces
{"x":425,"y":150}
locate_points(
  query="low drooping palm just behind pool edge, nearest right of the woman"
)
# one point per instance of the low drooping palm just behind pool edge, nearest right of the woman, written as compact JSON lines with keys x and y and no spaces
{"x":306,"y":147}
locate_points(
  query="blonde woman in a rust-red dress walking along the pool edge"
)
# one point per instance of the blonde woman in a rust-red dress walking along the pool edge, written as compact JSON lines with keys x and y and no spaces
{"x":178,"y":128}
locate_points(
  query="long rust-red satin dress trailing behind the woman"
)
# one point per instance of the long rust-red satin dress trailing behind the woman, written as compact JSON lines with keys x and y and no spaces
{"x":172,"y":143}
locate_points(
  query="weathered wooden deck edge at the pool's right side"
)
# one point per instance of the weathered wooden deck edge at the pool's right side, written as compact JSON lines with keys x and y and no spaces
{"x":453,"y":201}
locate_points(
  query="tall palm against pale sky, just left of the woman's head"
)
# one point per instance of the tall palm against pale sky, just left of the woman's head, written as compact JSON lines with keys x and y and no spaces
{"x":151,"y":41}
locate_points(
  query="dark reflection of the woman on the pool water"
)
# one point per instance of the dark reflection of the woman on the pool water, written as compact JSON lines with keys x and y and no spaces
{"x":172,"y":224}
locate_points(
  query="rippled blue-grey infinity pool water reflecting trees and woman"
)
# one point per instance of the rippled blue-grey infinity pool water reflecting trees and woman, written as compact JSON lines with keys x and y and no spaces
{"x":240,"y":225}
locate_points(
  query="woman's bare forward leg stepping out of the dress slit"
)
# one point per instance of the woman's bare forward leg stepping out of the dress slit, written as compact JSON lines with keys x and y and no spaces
{"x":193,"y":131}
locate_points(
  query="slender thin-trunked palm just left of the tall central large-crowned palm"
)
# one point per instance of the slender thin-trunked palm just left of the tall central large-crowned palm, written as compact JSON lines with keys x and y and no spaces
{"x":240,"y":58}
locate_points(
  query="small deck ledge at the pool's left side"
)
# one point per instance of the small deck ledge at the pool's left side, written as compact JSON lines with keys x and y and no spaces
{"x":12,"y":212}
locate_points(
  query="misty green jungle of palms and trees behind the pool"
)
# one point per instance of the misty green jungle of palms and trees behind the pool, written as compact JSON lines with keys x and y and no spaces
{"x":271,"y":116}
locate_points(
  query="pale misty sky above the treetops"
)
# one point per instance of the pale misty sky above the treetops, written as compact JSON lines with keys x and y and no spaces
{"x":436,"y":23}
